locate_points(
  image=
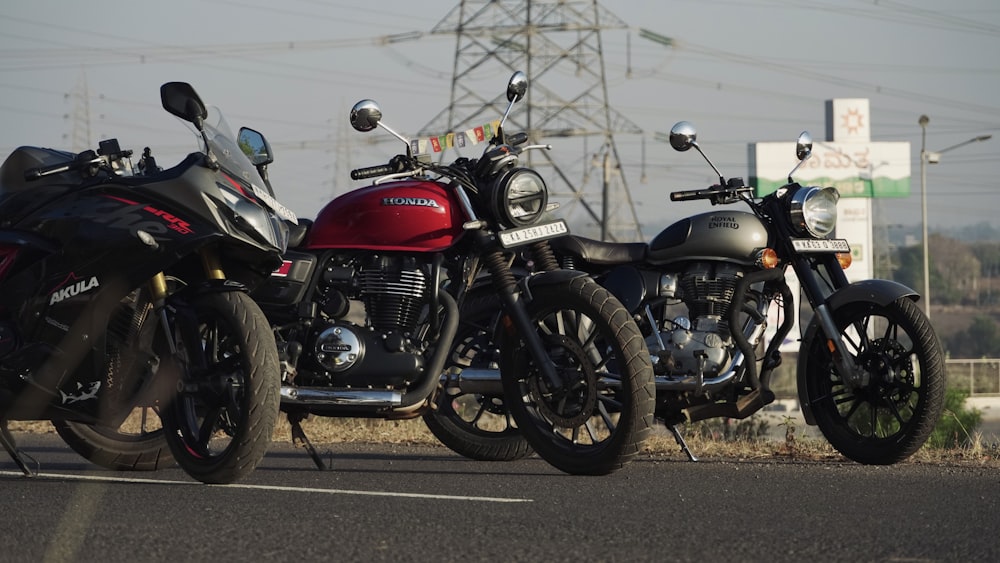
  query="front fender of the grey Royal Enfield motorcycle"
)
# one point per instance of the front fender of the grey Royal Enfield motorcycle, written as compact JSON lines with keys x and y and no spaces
{"x":879,"y":292}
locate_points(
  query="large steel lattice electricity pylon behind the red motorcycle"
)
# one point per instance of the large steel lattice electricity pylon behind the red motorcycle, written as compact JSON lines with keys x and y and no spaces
{"x":558,"y":44}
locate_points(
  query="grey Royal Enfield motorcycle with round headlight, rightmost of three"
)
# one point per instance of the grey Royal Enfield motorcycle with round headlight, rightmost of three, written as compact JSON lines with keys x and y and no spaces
{"x":870,"y":368}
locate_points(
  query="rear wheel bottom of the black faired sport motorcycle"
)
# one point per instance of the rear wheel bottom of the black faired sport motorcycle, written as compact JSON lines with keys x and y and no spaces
{"x":137,"y":445}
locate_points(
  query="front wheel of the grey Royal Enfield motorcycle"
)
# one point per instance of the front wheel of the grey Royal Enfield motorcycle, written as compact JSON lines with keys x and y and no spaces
{"x":891,"y":417}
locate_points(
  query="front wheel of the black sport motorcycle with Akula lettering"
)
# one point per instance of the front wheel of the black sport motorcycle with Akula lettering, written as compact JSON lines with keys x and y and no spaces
{"x":220,"y":423}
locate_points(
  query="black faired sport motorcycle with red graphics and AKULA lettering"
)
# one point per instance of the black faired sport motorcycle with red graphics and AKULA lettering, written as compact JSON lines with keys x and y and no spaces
{"x":125,"y":317}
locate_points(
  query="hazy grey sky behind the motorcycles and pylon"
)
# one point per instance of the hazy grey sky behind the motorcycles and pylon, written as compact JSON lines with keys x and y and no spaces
{"x":743,"y":71}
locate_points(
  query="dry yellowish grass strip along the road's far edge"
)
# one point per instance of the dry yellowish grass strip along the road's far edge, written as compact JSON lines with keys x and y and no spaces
{"x":705,"y":445}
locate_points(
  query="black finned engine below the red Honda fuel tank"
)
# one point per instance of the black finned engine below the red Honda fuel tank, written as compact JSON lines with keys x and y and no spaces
{"x":366,"y":334}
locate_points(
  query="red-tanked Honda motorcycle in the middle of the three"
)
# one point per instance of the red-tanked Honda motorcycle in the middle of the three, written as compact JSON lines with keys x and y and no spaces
{"x":366,"y":307}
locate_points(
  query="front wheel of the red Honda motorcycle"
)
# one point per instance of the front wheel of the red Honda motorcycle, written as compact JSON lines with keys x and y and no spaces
{"x":596,"y":421}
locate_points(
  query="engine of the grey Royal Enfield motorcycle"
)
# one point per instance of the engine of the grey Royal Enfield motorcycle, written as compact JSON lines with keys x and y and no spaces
{"x":703,"y":335}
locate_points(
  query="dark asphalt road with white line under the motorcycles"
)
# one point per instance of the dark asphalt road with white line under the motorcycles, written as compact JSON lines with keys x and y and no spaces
{"x":402,"y":503}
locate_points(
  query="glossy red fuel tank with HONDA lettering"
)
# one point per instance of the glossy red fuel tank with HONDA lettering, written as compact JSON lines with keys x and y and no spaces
{"x":409,"y":215}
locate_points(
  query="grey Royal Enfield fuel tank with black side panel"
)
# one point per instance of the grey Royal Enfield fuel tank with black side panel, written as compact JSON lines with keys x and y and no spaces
{"x":725,"y":235}
